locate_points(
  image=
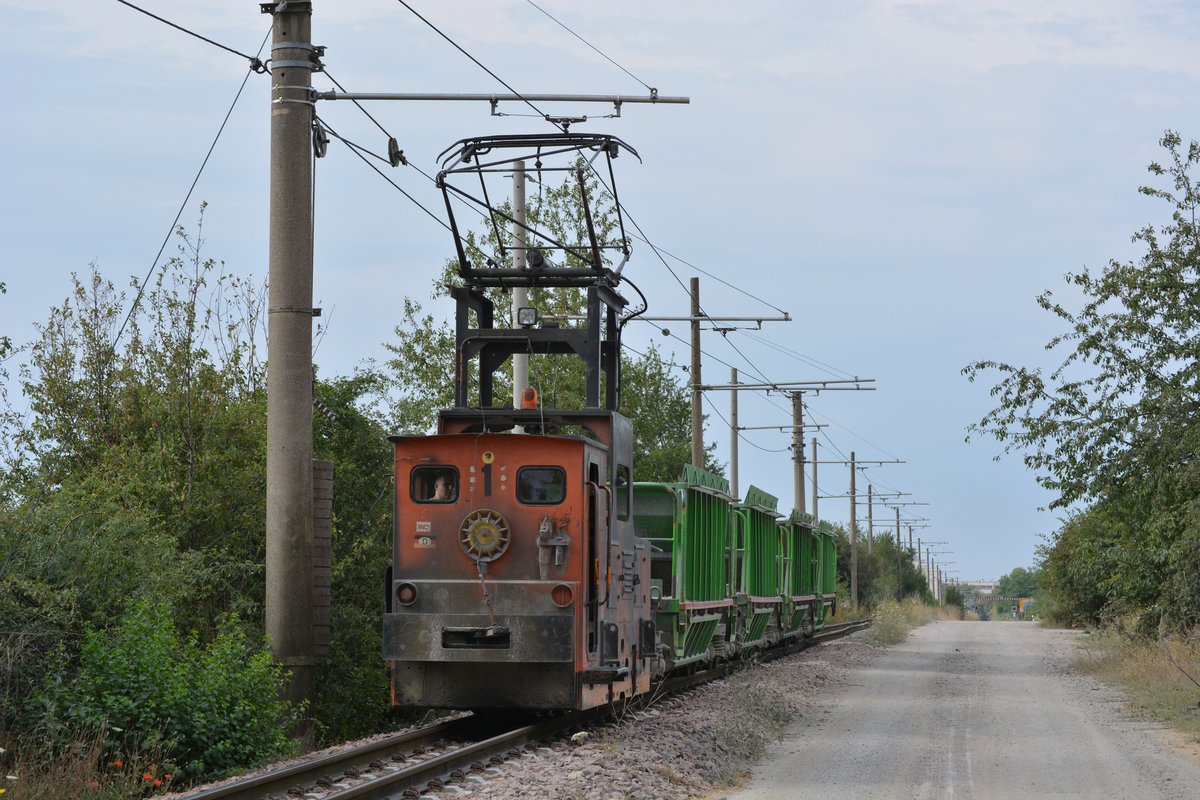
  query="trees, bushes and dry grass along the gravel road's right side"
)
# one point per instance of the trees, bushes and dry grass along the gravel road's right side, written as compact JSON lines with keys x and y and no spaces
{"x":1113,"y":430}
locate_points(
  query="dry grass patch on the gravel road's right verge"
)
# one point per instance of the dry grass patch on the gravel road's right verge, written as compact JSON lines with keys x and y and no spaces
{"x":1160,"y":681}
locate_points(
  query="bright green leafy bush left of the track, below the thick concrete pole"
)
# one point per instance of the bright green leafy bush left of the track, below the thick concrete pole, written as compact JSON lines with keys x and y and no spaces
{"x":209,"y":709}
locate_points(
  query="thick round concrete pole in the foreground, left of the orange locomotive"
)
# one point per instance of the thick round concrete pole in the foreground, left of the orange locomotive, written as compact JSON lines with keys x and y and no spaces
{"x":290,"y":501}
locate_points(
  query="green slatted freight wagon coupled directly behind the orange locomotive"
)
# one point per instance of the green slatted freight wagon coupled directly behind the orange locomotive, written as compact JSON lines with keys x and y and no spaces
{"x":689,"y":526}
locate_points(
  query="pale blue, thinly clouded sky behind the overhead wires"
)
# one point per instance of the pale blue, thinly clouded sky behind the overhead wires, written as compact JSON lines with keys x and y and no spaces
{"x":903,"y":178}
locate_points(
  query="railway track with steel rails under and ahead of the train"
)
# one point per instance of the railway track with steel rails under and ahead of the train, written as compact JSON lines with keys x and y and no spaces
{"x":457,"y":751}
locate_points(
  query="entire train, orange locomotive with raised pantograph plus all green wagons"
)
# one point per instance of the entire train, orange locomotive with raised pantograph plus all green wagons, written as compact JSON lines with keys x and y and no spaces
{"x":524,"y":576}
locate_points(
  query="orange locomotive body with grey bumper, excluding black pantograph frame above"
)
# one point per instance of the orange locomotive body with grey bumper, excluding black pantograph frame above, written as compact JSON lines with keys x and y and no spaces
{"x":523,"y":585}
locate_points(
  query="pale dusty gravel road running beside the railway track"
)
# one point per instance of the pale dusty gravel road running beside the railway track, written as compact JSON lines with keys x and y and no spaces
{"x":974,"y":711}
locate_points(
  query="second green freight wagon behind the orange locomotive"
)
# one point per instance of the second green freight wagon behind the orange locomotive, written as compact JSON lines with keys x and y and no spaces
{"x":758,"y":570}
